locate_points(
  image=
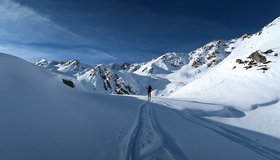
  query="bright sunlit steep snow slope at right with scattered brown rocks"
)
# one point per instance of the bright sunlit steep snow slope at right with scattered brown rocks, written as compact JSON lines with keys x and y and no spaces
{"x":240,"y":82}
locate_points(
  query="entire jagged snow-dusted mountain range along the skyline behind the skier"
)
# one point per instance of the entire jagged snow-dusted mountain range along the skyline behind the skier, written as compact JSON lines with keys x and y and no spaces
{"x":167,"y":73}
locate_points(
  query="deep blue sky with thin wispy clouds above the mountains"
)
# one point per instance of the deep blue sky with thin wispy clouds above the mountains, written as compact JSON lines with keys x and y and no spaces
{"x":105,"y":31}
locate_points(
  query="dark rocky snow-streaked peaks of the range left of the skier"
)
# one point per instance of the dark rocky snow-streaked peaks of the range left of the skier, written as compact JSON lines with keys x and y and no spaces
{"x":99,"y":78}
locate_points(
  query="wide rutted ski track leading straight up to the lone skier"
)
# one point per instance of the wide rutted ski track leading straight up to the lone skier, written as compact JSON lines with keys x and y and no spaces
{"x":148,"y":140}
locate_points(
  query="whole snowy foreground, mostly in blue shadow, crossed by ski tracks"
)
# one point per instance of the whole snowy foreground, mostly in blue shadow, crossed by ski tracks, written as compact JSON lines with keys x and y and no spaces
{"x":40,"y":118}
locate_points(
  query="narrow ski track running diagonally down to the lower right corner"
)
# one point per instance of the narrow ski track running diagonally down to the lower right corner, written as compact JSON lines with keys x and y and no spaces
{"x":234,"y":136}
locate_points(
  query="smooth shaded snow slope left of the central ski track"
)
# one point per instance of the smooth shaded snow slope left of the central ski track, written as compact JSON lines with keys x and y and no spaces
{"x":41,"y":118}
